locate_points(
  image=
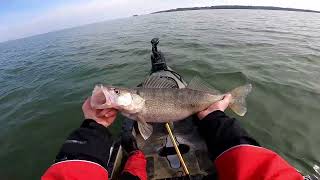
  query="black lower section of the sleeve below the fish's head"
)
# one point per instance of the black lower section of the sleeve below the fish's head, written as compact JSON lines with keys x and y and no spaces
{"x":91,"y":142}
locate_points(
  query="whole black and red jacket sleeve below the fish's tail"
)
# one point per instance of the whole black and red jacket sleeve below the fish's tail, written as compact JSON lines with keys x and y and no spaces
{"x":237,"y":155}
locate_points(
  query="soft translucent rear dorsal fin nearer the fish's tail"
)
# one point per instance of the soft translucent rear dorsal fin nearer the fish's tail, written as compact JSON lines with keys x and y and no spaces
{"x":197,"y":84}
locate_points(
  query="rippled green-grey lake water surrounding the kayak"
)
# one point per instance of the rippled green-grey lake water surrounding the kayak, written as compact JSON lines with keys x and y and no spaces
{"x":44,"y":79}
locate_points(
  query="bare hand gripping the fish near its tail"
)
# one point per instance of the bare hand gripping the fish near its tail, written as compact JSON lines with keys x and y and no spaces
{"x":220,"y":105}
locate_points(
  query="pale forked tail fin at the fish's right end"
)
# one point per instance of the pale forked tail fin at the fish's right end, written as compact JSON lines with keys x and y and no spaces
{"x":238,"y":102}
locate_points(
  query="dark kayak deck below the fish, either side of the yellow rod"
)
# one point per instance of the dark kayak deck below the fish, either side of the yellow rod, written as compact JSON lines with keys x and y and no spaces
{"x":159,"y":166}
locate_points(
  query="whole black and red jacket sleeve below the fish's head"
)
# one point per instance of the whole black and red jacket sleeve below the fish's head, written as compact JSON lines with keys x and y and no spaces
{"x":83,"y":155}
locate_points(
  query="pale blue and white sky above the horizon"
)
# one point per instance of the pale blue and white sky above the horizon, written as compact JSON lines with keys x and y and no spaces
{"x":20,"y":18}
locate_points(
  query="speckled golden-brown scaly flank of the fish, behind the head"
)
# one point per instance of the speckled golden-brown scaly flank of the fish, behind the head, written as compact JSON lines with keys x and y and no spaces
{"x":162,"y":105}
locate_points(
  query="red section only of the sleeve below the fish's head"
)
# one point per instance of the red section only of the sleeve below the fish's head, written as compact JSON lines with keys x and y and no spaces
{"x":76,"y":170}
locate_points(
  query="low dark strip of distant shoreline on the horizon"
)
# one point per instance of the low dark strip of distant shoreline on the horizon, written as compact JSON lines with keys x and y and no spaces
{"x":237,"y":7}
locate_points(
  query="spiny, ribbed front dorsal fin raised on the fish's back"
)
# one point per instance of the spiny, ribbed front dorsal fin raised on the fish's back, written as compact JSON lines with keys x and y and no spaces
{"x":158,"y":82}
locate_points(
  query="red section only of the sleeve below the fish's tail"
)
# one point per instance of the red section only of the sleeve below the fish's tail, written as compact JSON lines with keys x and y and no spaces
{"x":251,"y":162}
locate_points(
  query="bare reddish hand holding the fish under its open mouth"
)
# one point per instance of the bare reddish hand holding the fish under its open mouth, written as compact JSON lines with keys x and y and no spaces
{"x":104,"y":117}
